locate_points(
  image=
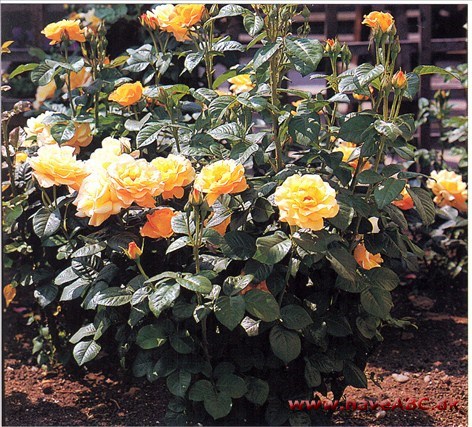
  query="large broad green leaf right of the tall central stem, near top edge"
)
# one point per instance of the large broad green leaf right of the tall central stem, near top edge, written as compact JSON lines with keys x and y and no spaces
{"x":305,"y":54}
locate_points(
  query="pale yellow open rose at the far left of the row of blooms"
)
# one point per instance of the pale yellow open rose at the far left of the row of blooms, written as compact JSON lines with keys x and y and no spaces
{"x":56,"y":165}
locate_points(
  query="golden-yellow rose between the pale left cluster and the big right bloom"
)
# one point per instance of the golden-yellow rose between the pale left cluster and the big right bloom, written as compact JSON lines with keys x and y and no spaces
{"x":221,"y":177}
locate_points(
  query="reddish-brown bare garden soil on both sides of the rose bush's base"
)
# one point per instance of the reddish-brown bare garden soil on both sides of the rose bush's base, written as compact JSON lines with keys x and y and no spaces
{"x":431,"y":360}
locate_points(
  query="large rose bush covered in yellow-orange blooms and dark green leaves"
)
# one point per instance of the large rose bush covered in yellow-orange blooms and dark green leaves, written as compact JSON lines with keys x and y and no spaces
{"x":237,"y":246}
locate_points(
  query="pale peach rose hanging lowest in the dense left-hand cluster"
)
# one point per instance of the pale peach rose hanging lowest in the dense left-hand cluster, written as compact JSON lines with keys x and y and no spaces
{"x":97,"y":199}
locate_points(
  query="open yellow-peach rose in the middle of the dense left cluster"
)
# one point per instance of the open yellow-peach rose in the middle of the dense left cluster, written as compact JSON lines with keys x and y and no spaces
{"x":135,"y":181}
